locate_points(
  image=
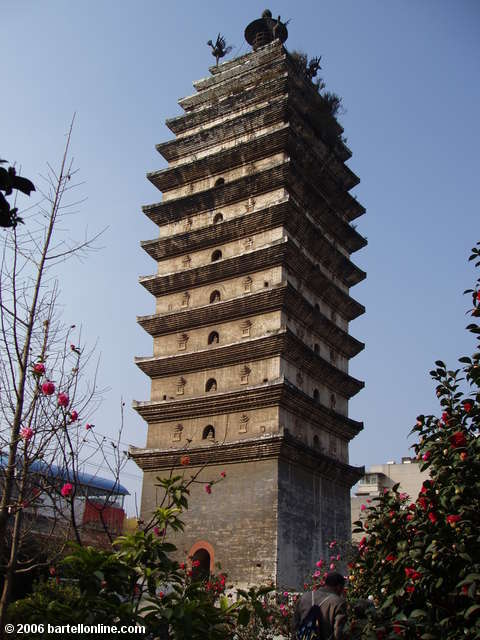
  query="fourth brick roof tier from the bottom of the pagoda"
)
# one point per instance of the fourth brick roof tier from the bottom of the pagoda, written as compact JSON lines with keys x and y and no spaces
{"x":282,"y":297}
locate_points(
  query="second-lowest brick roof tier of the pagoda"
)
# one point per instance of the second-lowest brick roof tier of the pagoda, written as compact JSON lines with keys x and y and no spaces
{"x":276,"y":393}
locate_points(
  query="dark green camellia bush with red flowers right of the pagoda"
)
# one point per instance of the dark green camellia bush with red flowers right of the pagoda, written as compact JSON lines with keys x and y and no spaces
{"x":419,"y":557}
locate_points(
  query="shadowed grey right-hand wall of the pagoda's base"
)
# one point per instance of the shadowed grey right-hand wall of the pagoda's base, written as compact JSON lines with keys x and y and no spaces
{"x":313,"y":510}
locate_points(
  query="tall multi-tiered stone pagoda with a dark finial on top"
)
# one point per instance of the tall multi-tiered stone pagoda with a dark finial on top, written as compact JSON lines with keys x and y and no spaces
{"x":251,"y":342}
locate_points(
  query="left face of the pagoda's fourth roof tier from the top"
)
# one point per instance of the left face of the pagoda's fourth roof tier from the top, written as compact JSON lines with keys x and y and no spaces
{"x":249,"y":99}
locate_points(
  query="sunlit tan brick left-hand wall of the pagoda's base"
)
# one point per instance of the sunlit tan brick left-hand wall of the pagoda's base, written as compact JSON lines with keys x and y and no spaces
{"x":238,"y":519}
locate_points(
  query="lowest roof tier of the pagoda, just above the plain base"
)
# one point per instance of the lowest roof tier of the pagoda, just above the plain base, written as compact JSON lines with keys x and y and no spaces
{"x":284,"y":447}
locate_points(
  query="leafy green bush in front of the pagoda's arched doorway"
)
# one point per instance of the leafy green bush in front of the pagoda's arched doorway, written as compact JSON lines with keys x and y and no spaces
{"x":140,"y":583}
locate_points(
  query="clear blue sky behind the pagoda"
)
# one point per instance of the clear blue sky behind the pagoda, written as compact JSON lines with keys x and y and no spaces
{"x":409,"y":76}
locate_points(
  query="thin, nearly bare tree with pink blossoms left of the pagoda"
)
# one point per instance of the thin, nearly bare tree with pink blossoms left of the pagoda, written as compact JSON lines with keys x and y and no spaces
{"x":44,"y":397}
